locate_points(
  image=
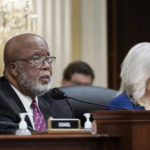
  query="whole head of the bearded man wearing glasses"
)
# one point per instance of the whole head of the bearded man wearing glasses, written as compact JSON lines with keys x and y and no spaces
{"x":26,"y":64}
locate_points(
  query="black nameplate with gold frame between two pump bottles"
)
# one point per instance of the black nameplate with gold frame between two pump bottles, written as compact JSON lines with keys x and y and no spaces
{"x":64,"y":124}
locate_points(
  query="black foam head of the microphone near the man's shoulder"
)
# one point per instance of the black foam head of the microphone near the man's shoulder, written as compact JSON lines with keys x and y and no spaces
{"x":57,"y":94}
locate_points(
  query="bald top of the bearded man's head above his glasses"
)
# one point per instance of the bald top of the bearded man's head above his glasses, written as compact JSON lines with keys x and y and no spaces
{"x":18,"y":46}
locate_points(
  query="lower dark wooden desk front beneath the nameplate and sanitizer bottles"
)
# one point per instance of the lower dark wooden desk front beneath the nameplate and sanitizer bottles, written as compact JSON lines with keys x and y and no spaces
{"x":59,"y":142}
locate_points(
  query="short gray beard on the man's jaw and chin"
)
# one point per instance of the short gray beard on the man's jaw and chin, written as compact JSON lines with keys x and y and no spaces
{"x":32,"y":86}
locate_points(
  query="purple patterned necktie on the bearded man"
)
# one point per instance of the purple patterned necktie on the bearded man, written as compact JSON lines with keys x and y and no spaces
{"x":38,"y":118}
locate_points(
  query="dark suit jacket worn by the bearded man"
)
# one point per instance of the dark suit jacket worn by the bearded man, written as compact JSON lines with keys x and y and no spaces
{"x":11,"y":106}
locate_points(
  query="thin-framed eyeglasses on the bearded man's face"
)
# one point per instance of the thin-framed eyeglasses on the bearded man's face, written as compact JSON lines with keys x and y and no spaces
{"x":38,"y":62}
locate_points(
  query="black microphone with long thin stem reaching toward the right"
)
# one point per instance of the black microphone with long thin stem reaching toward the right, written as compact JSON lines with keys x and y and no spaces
{"x":59,"y":95}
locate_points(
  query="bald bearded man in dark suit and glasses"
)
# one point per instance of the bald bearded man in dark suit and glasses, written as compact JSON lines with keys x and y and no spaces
{"x":27,"y":78}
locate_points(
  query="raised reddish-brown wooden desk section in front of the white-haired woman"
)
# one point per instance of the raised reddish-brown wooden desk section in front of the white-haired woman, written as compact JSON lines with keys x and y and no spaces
{"x":133,"y":127}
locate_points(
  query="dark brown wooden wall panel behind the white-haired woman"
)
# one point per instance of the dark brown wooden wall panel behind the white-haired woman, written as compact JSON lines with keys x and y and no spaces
{"x":128,"y":24}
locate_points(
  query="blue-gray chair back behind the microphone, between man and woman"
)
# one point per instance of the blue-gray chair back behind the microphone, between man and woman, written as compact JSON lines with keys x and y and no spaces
{"x":92,"y":94}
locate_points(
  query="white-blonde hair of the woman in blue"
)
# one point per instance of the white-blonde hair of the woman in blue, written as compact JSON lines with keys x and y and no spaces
{"x":135,"y":71}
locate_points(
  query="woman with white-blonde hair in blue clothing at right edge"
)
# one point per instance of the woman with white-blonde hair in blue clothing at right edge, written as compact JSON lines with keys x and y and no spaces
{"x":134,"y":93}
